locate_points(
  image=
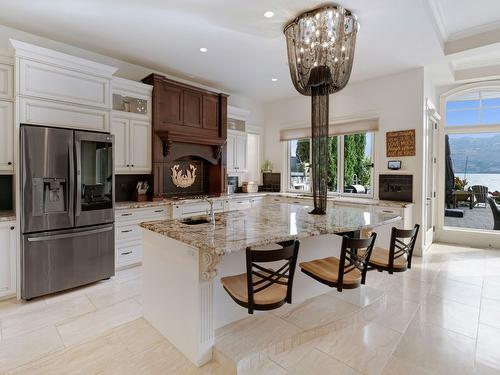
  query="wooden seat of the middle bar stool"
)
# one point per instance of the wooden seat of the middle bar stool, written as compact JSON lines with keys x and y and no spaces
{"x":327,"y":269}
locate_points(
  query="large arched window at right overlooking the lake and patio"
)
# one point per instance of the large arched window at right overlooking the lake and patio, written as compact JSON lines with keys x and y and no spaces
{"x":472,"y":158}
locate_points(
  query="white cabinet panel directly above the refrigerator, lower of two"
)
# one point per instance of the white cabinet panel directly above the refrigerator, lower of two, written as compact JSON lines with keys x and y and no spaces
{"x":41,"y":112}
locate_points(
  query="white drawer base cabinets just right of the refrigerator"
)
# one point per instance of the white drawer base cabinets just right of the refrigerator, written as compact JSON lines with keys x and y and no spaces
{"x":128,"y":233}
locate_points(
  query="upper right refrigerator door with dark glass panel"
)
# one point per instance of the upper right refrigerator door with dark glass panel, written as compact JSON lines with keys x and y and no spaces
{"x":94,"y":202}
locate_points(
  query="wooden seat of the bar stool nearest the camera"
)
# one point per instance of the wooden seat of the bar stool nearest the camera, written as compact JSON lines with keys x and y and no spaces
{"x":237,"y":288}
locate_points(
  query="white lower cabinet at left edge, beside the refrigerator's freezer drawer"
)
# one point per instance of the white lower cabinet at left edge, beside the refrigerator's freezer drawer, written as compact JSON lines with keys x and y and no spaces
{"x":7,"y":259}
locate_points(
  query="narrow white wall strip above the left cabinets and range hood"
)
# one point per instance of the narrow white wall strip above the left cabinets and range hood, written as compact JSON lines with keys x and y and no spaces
{"x":125,"y":69}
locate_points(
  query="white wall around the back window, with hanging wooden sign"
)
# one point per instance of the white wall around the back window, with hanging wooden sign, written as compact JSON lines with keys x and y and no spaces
{"x":398,"y":101}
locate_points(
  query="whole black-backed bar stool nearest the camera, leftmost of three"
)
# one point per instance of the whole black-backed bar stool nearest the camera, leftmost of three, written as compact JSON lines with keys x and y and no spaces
{"x":263,"y":288}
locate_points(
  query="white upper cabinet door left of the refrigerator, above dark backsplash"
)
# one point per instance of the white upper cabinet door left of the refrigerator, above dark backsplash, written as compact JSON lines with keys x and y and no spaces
{"x":6,"y":137}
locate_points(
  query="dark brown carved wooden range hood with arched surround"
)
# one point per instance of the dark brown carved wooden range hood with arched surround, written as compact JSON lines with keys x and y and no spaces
{"x":188,"y":121}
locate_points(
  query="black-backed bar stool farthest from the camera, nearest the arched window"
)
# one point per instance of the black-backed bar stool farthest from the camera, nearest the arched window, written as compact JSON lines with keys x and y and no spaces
{"x":398,"y":257}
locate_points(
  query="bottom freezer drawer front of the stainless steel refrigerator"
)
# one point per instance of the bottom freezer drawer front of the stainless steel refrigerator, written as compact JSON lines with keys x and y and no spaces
{"x":59,"y":260}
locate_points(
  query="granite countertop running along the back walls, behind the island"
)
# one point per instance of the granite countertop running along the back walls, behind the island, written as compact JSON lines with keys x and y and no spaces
{"x":131,"y":205}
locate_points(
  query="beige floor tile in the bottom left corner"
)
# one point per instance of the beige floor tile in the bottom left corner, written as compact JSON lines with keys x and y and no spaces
{"x":17,"y":351}
